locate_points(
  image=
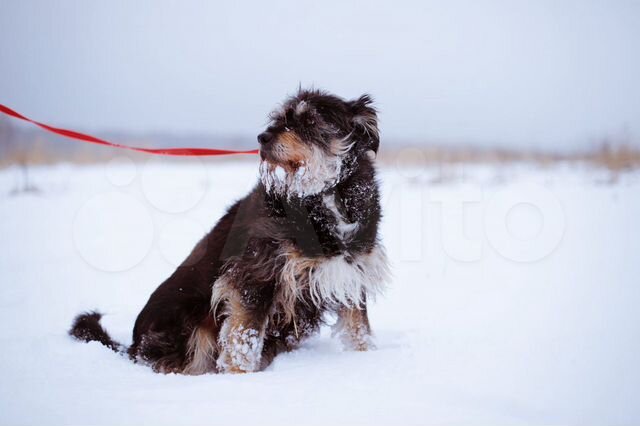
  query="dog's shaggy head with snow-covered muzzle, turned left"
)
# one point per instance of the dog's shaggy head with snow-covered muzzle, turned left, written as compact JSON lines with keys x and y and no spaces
{"x":314,"y":140}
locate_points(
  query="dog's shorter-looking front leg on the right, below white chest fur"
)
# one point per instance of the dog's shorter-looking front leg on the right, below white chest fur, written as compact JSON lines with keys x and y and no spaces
{"x":353,"y":328}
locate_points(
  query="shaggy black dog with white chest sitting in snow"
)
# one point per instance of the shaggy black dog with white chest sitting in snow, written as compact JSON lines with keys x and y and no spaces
{"x":302,"y":244}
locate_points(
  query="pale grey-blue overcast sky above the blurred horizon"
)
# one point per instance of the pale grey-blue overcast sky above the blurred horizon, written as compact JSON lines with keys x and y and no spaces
{"x":546,"y":73}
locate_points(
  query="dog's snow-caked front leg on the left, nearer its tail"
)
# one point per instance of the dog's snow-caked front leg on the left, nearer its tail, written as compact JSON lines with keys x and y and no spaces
{"x":242,"y":333}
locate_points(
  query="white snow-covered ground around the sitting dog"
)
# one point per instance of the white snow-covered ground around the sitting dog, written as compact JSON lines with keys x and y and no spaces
{"x":514,"y":301}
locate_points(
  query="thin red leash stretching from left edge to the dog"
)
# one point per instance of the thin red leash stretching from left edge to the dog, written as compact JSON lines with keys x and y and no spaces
{"x":198,"y":152}
